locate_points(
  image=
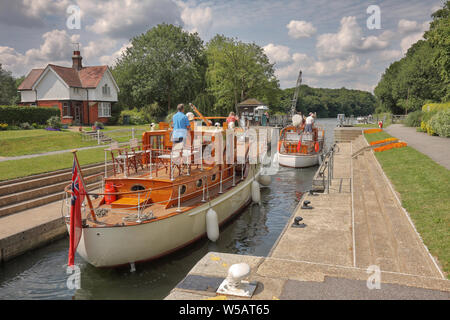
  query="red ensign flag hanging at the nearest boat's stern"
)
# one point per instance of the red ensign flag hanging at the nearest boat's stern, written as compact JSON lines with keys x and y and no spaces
{"x":75,"y":213}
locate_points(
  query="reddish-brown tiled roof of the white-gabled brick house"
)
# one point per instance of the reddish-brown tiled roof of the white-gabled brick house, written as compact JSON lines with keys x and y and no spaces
{"x":87,"y":77}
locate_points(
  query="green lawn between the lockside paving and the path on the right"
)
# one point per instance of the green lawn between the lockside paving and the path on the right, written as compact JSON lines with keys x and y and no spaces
{"x":424,"y":187}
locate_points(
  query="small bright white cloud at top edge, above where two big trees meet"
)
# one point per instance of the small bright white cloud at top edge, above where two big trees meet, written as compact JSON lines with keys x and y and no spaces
{"x":196,"y":19}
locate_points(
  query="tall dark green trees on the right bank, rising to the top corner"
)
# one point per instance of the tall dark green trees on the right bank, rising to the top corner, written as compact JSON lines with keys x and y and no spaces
{"x":423,"y":75}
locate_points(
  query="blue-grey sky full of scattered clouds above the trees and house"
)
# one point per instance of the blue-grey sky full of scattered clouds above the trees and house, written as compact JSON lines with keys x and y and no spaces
{"x":329,"y":40}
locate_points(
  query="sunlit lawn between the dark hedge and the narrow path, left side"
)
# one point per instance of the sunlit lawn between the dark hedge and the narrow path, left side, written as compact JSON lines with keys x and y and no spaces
{"x":23,"y":142}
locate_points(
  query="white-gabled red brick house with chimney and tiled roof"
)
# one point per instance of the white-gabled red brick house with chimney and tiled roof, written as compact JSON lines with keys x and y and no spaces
{"x":83,"y":94}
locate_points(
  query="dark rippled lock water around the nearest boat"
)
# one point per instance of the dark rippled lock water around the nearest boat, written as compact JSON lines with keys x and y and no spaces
{"x":41,"y":274}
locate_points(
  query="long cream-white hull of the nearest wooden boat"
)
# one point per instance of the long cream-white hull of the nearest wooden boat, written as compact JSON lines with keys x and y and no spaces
{"x":114,"y":246}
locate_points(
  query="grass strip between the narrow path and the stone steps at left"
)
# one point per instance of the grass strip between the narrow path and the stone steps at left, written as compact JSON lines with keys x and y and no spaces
{"x":25,"y":167}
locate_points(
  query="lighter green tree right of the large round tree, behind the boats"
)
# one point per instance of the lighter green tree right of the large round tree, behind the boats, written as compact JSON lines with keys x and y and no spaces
{"x":237,"y":71}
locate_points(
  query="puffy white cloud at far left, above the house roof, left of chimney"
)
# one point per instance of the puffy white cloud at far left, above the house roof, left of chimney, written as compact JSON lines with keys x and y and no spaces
{"x":57,"y":49}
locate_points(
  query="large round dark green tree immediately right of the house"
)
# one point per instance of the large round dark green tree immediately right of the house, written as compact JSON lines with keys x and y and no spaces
{"x":164,"y":65}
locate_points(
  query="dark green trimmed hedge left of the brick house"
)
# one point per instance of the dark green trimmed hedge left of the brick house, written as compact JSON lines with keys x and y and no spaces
{"x":15,"y":115}
